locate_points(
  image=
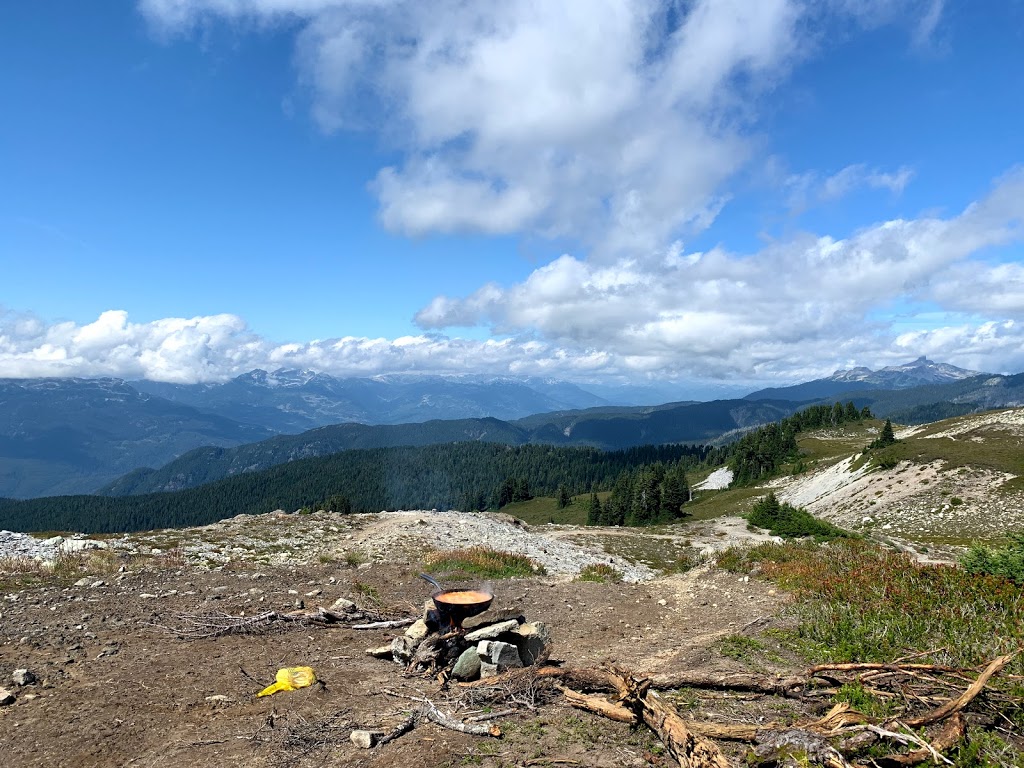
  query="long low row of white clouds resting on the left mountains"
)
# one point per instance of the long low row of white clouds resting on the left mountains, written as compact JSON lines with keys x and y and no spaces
{"x":217,"y":348}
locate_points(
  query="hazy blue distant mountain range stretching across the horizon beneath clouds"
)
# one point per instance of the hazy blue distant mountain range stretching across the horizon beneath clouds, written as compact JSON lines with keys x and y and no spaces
{"x":74,"y":436}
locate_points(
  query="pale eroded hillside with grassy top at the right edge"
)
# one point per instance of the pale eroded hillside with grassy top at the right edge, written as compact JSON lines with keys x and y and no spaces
{"x":945,"y":484}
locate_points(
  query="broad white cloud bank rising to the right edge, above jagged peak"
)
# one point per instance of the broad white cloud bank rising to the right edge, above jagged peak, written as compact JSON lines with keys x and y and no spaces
{"x":799,"y":301}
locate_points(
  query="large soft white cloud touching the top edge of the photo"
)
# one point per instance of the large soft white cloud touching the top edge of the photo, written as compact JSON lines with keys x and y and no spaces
{"x":615,"y":123}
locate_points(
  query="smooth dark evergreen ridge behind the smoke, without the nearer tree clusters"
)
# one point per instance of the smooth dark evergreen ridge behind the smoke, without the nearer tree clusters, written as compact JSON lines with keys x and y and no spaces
{"x":467,"y":477}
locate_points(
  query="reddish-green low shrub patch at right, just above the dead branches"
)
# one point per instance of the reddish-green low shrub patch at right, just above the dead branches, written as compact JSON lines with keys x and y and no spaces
{"x":862,"y":603}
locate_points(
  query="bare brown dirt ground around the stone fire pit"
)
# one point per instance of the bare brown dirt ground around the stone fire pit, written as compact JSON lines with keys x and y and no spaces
{"x":116,"y":691}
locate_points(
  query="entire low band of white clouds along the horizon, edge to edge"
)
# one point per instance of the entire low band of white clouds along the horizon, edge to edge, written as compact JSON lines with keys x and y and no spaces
{"x":796,"y":310}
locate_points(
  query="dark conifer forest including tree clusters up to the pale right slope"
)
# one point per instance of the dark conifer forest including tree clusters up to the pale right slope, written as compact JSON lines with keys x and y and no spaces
{"x":649,"y":484}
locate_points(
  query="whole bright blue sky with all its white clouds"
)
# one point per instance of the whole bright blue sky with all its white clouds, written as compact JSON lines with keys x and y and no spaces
{"x":710,"y":194}
